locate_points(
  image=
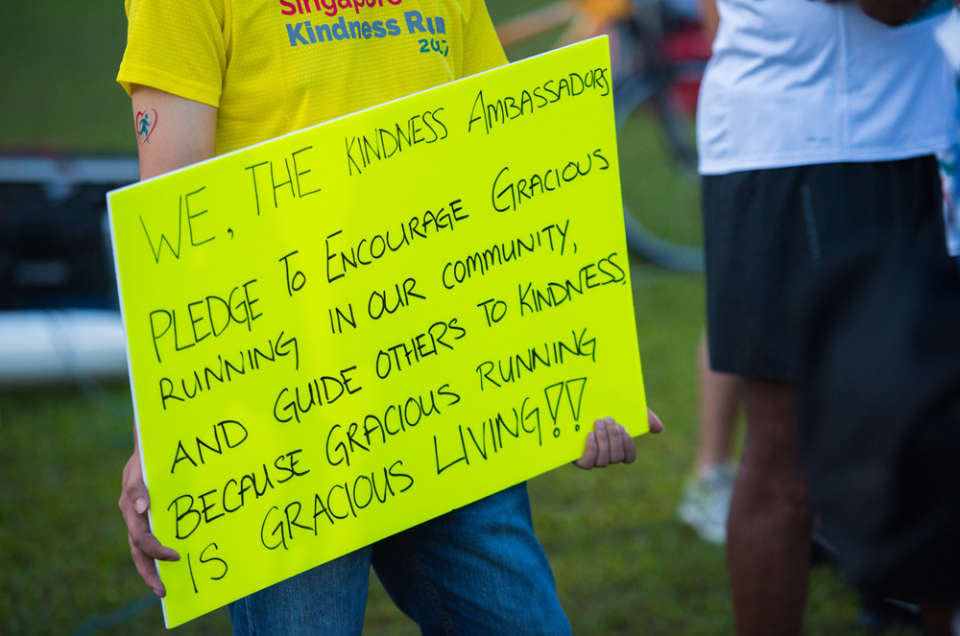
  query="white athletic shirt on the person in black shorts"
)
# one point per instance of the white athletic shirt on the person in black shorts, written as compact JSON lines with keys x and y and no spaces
{"x":795,"y":82}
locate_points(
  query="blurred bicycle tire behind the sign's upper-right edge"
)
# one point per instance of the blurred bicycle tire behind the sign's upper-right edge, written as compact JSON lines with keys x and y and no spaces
{"x":633,"y":98}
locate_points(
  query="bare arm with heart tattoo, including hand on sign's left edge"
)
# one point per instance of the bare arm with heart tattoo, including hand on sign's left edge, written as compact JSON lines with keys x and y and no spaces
{"x":172,"y":132}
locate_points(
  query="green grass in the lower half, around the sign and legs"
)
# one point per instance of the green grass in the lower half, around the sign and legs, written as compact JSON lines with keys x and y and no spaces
{"x":623,"y":563}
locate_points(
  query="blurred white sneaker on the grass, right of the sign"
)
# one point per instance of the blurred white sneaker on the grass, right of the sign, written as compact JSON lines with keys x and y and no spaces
{"x":706,"y":503}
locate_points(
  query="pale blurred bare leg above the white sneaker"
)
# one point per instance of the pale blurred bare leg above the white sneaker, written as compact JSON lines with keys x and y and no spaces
{"x":720,"y":397}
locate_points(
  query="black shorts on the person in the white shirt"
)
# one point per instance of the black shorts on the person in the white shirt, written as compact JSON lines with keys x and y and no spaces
{"x":766,"y":232}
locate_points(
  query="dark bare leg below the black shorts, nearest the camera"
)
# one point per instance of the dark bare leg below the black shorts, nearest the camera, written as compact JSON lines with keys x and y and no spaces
{"x":768,"y":533}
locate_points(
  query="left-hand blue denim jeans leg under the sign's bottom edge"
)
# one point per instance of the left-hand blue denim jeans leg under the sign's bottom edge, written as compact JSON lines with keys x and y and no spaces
{"x":329,"y":599}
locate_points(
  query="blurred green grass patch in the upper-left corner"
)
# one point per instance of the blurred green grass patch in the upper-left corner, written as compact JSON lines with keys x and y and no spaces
{"x":59,"y":61}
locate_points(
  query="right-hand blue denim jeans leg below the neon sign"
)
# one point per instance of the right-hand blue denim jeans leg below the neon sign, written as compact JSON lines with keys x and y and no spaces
{"x":476,"y":570}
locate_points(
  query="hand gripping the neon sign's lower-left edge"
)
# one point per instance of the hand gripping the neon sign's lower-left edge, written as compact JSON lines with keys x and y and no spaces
{"x":144,"y":547}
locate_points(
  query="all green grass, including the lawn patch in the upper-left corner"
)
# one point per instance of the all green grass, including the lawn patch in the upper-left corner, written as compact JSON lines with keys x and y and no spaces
{"x":623,"y":563}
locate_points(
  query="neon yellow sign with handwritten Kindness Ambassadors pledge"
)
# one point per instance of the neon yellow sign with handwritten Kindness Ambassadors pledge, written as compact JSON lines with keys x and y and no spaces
{"x":346,"y":331}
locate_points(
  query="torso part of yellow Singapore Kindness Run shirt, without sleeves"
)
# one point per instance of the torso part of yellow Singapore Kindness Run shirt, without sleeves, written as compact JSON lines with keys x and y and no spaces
{"x":294,"y":63}
